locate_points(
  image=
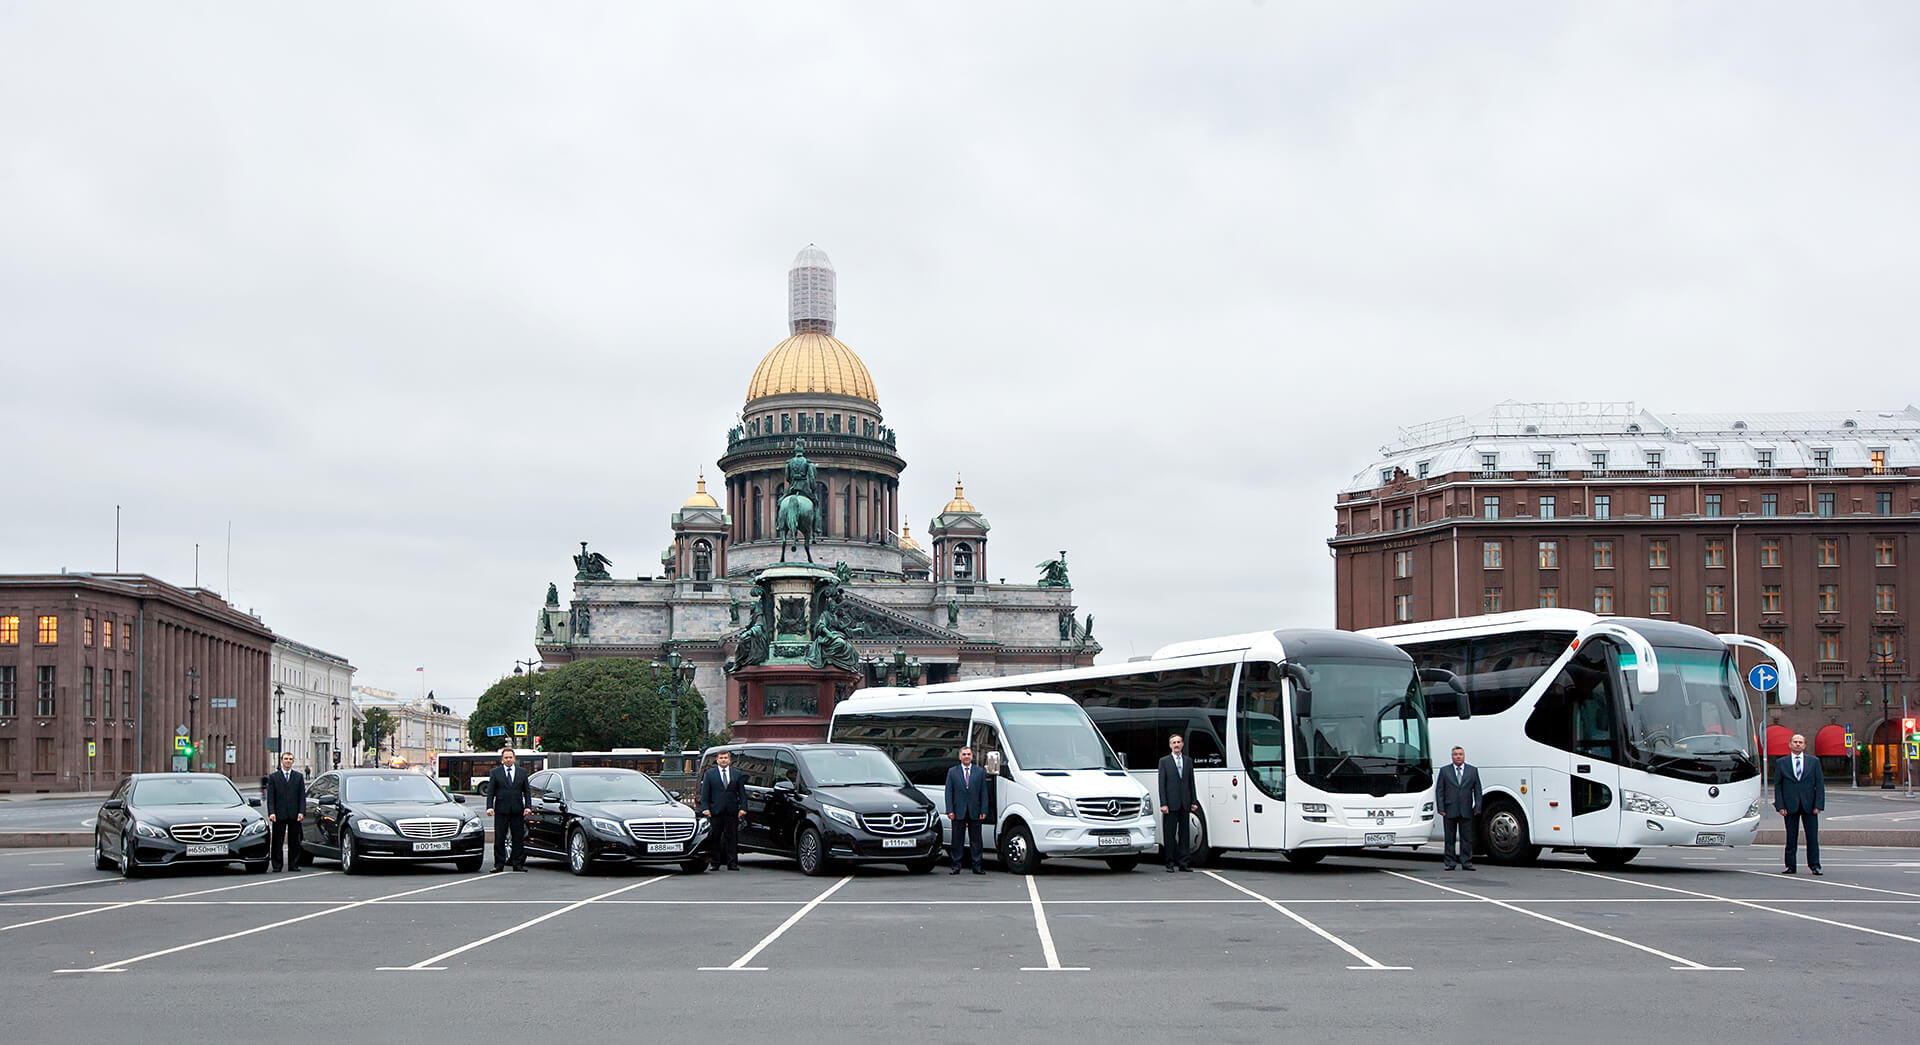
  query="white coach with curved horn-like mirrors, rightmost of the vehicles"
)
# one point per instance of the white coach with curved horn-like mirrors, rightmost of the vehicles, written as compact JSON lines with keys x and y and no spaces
{"x":1596,"y":733}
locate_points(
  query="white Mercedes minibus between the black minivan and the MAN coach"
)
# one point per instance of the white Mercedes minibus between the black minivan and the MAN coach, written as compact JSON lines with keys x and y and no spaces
{"x":1059,"y":789}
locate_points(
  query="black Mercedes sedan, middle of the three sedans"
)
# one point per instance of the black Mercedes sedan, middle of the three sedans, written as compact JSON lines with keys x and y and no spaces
{"x":366,"y":815}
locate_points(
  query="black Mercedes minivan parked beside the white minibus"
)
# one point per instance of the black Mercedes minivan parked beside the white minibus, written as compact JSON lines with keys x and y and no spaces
{"x":827,"y":804}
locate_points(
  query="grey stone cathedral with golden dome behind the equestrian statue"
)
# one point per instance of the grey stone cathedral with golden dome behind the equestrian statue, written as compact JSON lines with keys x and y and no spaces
{"x":938,"y":606}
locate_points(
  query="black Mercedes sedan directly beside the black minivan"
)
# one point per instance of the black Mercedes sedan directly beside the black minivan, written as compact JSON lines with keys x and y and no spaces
{"x":594,"y":817}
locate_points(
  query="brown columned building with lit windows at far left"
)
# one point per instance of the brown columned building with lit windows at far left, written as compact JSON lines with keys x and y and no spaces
{"x":112,"y":660}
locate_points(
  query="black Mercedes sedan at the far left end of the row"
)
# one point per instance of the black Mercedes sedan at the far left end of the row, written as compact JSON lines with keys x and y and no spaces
{"x":178,"y":819}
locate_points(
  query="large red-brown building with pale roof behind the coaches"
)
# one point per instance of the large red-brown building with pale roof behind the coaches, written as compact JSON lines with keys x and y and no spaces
{"x":1792,"y":527}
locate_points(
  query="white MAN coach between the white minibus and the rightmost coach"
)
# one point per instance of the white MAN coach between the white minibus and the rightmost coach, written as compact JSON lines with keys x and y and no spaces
{"x":1347,"y":708}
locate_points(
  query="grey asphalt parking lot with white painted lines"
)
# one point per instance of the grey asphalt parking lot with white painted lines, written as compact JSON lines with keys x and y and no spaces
{"x":1708,"y":944}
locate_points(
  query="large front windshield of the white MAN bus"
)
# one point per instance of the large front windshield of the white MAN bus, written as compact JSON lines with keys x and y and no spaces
{"x":1366,"y":729}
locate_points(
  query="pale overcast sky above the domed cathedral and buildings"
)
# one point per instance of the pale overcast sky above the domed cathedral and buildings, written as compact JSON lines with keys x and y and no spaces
{"x":418,"y":297}
